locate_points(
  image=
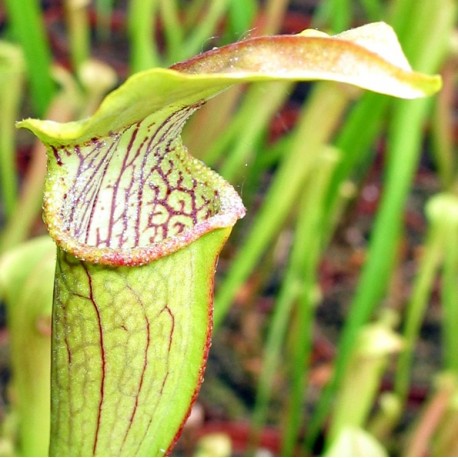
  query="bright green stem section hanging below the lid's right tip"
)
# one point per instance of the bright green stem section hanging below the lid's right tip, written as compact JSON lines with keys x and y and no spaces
{"x":404,"y":152}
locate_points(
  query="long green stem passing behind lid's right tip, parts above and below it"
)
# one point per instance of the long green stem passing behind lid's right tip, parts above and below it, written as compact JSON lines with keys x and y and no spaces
{"x":403,"y":152}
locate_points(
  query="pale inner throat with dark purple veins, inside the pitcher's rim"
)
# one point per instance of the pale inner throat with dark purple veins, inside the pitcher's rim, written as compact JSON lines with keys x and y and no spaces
{"x":134,"y":188}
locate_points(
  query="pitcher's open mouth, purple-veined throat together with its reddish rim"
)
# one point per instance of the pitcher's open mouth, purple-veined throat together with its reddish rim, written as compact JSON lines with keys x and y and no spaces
{"x":134,"y":196}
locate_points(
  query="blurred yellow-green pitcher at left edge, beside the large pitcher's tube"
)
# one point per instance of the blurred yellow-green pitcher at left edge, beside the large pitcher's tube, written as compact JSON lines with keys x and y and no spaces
{"x":26,"y":286}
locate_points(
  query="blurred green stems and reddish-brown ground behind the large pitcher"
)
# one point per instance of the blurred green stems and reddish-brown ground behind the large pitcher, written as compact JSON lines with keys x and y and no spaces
{"x":336,"y":308}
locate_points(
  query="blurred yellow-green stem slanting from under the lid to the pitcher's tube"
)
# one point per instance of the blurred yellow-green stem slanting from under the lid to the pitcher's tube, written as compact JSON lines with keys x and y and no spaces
{"x":312,"y":132}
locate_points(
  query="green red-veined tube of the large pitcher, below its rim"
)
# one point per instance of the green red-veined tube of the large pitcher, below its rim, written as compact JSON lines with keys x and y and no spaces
{"x":129,"y":343}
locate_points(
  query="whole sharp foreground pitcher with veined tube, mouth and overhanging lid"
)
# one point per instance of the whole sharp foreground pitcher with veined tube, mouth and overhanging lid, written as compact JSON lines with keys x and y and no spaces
{"x":139,"y":224}
